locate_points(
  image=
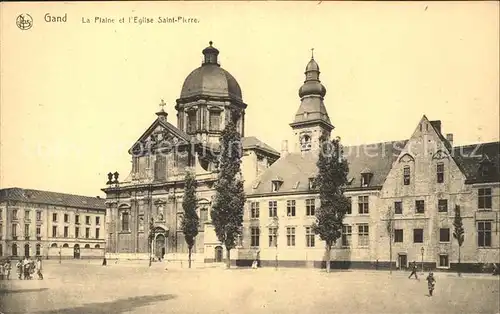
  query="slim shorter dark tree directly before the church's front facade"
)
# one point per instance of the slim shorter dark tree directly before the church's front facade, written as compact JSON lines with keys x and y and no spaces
{"x":190,"y":220}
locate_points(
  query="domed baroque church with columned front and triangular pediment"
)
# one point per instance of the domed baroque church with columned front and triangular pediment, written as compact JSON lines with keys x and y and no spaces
{"x":149,"y":199}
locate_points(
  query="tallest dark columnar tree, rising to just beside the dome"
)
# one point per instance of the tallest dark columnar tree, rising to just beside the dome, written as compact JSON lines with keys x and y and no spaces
{"x":227,"y":210}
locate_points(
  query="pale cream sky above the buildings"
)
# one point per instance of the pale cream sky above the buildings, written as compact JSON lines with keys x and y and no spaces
{"x":74,"y":97}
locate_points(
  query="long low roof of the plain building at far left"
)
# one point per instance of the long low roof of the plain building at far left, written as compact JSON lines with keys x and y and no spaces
{"x":51,"y":198}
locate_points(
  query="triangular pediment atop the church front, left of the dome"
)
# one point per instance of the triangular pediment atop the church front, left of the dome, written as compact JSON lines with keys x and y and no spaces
{"x":159,"y":136}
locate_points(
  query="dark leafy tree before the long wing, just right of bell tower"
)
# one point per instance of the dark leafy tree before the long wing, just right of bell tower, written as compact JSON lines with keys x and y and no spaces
{"x":330,"y":181}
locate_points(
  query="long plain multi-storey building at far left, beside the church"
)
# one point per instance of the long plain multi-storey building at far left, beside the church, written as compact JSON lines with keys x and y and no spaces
{"x":51,"y":225}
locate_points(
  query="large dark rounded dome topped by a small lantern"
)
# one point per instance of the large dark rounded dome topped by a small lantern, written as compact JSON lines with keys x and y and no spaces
{"x":210,"y":79}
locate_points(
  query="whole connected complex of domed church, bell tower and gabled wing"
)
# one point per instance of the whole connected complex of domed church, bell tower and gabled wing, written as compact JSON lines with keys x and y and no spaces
{"x":412,"y":185}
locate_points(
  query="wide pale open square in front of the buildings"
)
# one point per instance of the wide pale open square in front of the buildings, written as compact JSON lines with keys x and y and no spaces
{"x":87,"y":287}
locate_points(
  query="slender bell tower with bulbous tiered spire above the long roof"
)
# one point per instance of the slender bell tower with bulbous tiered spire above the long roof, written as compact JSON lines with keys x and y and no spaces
{"x":311,"y":119}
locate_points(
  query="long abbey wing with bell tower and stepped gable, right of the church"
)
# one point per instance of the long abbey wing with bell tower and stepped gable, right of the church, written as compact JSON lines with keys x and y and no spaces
{"x":417,"y":181}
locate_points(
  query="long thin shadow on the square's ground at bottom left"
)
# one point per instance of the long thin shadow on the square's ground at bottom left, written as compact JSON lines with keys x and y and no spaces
{"x":113,"y":307}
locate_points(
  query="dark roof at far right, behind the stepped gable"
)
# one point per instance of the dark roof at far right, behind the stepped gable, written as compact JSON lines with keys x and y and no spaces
{"x":471,"y":158}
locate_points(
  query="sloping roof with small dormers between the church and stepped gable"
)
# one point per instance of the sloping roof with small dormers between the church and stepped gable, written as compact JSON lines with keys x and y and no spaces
{"x":295,"y":169}
